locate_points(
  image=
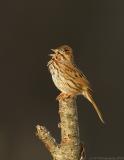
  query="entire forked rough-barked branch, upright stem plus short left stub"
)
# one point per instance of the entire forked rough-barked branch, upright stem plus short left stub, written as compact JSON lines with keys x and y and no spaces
{"x":69,"y":147}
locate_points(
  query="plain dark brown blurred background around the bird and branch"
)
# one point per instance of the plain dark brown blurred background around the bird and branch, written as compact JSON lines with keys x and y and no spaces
{"x":28,"y":30}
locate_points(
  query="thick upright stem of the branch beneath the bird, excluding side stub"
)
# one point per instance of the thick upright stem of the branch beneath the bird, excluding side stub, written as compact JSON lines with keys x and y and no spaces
{"x":70,"y":142}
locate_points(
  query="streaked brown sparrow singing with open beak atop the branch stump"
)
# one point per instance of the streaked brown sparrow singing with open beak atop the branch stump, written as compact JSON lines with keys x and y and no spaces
{"x":67,"y":77}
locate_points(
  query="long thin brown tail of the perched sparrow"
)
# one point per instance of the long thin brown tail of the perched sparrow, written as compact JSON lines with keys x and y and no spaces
{"x":87,"y":95}
